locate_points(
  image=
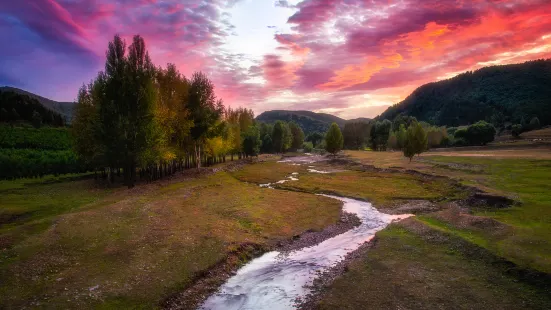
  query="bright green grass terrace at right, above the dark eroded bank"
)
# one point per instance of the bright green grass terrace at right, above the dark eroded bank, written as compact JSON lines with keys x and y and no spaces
{"x":520,"y":174}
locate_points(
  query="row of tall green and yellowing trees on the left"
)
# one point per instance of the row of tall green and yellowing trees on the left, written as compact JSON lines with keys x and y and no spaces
{"x":142,"y":119}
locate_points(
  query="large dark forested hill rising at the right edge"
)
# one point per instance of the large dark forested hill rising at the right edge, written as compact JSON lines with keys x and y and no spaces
{"x":497,"y":94}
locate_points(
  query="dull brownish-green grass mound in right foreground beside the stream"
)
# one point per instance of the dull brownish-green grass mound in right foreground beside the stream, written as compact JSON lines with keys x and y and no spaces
{"x":414,"y":267}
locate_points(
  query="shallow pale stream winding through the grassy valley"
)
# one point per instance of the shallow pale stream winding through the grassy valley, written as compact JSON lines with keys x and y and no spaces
{"x":275,"y":280}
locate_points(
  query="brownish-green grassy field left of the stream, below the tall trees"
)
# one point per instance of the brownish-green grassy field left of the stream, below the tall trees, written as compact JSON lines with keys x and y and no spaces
{"x":71,"y":244}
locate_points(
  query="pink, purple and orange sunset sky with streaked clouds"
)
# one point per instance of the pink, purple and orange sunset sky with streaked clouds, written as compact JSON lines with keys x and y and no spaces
{"x":351,"y":58}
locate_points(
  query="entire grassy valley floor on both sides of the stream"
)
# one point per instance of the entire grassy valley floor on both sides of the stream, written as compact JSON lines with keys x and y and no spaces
{"x":69,"y":244}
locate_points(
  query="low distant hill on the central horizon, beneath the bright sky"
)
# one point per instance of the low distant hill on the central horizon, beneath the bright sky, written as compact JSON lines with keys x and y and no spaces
{"x":309,"y":121}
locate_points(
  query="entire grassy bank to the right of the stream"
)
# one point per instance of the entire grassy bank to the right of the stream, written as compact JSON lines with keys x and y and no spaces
{"x":449,"y":248}
